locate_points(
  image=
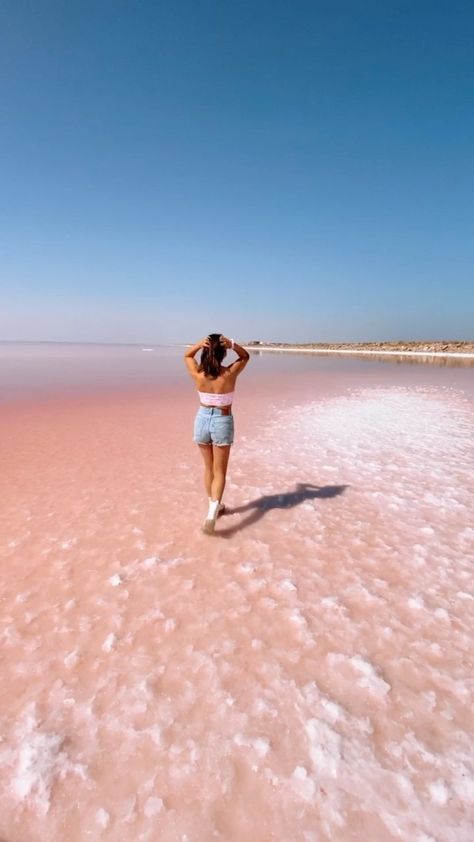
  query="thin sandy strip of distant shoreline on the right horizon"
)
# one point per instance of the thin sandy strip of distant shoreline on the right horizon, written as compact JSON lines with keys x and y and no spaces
{"x":463,"y":350}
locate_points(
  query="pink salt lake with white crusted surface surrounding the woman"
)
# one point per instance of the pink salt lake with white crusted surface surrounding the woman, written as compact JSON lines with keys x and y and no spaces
{"x":305,"y":674}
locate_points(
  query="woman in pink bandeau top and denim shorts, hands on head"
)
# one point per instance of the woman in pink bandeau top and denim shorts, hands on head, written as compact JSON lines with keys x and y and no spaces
{"x":214,"y":423}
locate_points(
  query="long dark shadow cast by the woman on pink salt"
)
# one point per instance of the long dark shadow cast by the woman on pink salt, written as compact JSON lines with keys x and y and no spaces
{"x":257,"y":508}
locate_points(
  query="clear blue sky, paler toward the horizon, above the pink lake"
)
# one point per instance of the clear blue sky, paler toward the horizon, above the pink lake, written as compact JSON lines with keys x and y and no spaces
{"x":273,"y":170}
